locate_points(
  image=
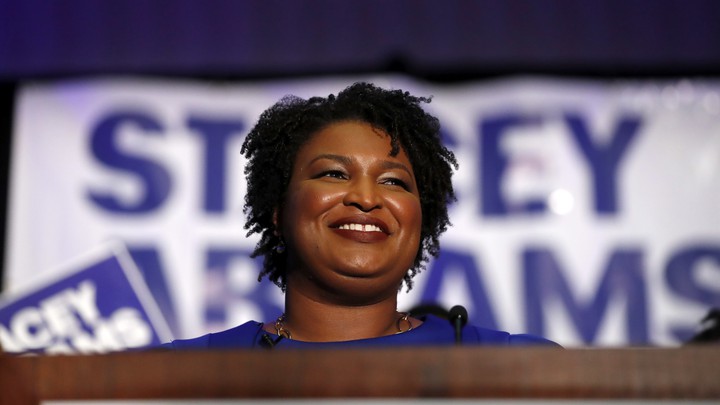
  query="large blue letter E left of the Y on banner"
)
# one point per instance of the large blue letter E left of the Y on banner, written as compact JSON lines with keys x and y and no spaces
{"x":493,"y":164}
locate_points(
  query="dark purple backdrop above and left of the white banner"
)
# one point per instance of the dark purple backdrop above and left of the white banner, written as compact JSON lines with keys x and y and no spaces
{"x":443,"y":41}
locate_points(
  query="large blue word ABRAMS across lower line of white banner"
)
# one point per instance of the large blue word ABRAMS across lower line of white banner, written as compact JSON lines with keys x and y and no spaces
{"x":544,"y":282}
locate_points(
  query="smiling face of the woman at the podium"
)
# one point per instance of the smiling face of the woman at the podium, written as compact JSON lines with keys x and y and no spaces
{"x":351,"y":218}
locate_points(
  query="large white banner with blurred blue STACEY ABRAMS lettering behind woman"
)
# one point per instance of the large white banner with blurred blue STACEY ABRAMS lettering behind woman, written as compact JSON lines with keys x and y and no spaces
{"x":588,"y":211}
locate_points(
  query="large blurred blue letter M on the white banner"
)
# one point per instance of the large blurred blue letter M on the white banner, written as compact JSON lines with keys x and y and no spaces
{"x":623,"y":278}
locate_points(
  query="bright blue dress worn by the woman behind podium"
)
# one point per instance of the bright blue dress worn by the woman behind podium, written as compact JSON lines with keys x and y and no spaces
{"x":433,"y":332}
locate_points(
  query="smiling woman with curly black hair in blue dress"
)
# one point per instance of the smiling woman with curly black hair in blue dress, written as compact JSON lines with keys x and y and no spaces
{"x":349,"y":195}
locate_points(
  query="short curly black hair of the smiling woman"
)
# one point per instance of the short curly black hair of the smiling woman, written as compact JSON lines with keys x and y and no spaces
{"x":271,"y":147}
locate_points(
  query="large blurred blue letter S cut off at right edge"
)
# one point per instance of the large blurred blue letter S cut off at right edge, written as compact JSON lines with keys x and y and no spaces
{"x":682,"y":278}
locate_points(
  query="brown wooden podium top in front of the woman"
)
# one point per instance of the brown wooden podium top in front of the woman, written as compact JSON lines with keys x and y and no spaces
{"x":448,"y":372}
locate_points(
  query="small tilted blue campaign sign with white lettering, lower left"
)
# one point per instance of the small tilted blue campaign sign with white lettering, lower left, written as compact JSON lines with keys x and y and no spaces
{"x":98,"y":303}
